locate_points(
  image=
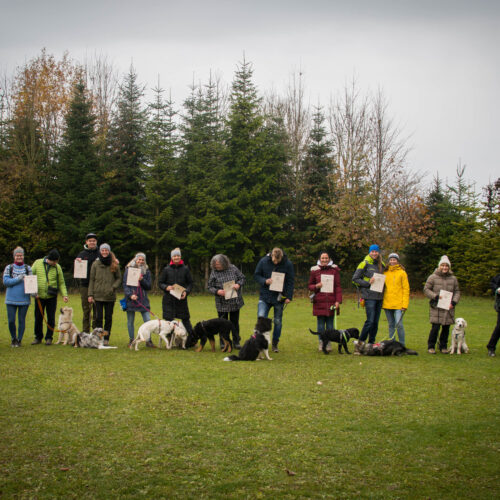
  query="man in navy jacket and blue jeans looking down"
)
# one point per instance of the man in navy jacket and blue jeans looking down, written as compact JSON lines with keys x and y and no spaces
{"x":278,"y":262}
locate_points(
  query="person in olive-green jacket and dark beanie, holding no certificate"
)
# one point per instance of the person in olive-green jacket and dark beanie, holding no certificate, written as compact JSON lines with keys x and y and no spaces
{"x":105,"y":278}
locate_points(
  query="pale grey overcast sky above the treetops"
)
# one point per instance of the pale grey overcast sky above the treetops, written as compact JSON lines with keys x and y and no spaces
{"x":438,"y":62}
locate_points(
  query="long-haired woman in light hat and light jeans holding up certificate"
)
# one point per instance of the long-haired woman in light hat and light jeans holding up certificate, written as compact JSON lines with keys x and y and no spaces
{"x":135,"y":288}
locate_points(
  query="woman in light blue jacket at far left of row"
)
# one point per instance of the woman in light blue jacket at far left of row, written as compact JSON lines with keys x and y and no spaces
{"x":16,"y":300}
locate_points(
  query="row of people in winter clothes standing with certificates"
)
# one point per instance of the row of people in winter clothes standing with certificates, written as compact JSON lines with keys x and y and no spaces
{"x":274,"y":273}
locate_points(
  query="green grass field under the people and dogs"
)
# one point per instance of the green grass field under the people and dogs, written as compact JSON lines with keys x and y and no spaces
{"x":81,"y":423}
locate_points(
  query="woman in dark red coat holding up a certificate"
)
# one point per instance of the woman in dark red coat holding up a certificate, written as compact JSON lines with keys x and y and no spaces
{"x":324,"y":282}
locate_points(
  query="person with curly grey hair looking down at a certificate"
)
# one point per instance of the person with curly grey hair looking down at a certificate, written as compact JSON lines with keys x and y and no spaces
{"x":225,"y":283}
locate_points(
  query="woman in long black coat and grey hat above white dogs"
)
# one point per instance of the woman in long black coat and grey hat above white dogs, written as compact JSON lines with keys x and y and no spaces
{"x":176,"y":273}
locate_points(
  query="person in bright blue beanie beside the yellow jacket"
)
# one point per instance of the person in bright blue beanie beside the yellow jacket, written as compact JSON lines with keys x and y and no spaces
{"x":369,"y":279}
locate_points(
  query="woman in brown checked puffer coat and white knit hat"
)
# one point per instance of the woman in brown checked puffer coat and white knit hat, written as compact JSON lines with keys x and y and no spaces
{"x":442,"y":289}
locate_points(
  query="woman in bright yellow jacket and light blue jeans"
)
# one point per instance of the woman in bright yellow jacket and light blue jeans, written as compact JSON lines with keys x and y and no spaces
{"x":396,"y":296}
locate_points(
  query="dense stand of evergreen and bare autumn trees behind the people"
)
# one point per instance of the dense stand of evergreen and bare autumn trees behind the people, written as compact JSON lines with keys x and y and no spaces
{"x":229,"y":170}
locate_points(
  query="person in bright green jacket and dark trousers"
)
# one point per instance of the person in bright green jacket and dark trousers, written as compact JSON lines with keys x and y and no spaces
{"x":50,"y":280}
